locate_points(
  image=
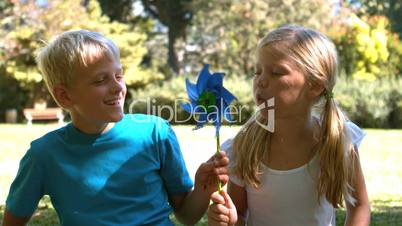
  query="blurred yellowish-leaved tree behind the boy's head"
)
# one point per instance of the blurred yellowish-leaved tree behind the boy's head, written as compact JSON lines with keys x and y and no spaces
{"x":28,"y":24}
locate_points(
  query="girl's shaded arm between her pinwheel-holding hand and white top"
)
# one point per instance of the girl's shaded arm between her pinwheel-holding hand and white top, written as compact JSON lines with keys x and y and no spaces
{"x":239,"y":197}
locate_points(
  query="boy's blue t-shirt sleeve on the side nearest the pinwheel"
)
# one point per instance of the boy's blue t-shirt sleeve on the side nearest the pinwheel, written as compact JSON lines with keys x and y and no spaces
{"x":173,"y":170}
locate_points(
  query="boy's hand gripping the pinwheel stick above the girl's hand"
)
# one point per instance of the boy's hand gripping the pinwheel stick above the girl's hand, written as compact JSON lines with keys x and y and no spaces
{"x":208,"y":174}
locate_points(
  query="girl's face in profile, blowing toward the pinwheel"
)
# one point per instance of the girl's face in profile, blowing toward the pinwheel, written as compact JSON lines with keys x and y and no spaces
{"x":277,"y":76}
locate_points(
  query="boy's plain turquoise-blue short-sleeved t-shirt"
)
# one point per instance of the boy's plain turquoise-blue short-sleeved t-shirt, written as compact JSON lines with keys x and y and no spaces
{"x":121,"y":177}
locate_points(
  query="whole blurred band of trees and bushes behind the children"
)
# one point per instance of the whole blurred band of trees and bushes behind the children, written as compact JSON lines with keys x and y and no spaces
{"x":164,"y":41}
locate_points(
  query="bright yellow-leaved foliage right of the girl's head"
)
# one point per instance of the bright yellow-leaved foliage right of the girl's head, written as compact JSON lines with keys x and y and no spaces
{"x":366,"y":47}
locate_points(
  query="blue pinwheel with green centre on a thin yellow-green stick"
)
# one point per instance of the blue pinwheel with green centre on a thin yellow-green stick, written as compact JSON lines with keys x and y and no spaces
{"x":209,"y":102}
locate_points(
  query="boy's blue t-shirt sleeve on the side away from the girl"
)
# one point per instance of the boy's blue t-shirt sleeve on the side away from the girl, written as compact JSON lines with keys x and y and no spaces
{"x":27,"y":187}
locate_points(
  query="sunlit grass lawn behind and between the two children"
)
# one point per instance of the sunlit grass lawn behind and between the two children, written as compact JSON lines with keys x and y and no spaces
{"x":381,"y":157}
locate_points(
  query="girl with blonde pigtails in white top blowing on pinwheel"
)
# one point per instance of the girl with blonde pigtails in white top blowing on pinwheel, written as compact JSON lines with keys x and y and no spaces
{"x":301,"y":172}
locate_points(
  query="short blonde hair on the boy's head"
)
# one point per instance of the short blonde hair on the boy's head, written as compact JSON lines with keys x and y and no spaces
{"x":59,"y":60}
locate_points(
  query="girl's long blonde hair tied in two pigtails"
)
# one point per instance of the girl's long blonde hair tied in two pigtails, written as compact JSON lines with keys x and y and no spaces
{"x":316,"y":56}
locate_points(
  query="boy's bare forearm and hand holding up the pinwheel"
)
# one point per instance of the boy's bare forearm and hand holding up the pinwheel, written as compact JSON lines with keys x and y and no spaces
{"x":190,"y":207}
